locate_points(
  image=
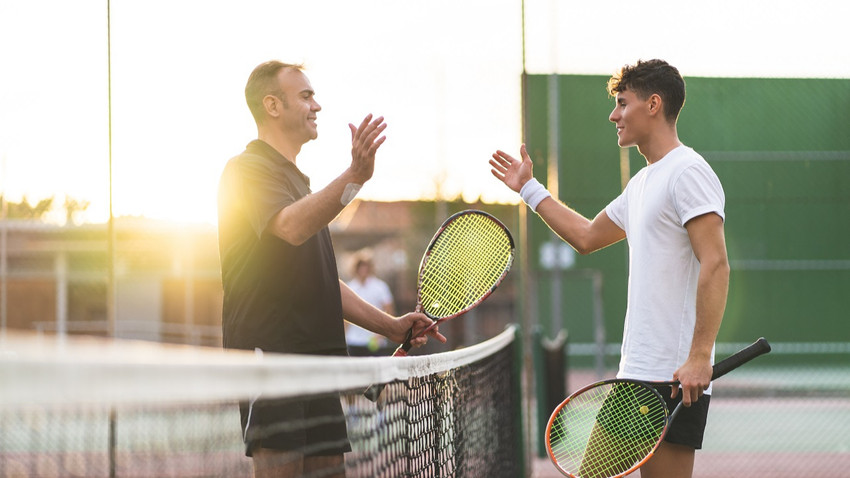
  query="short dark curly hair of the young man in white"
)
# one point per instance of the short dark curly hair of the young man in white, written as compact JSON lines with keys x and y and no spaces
{"x":649,"y":77}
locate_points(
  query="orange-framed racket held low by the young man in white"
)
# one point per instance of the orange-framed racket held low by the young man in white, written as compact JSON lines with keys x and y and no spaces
{"x":611,"y":428}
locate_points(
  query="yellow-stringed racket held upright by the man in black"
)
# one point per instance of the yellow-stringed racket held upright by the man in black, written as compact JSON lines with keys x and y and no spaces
{"x":463,"y":264}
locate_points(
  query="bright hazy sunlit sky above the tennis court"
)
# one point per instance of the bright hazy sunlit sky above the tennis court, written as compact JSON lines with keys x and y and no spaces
{"x":445,"y":74}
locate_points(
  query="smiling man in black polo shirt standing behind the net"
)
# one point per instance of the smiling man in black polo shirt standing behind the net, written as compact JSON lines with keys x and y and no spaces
{"x":282,"y":292}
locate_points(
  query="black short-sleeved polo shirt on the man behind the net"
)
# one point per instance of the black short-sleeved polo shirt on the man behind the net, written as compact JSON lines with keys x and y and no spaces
{"x":278,"y":297}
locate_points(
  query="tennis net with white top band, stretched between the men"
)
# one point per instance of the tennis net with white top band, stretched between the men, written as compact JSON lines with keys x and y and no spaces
{"x":96,"y":408}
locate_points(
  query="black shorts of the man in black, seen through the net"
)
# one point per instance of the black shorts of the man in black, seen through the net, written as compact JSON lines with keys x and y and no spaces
{"x":313,"y":426}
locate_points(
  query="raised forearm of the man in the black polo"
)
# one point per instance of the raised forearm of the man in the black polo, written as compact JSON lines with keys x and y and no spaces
{"x":304,"y":218}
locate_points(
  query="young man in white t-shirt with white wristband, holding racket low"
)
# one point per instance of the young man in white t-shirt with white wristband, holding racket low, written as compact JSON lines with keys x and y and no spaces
{"x":671,"y":213}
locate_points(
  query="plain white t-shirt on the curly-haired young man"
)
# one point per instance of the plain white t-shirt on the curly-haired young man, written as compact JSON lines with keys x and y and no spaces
{"x":663,"y":271}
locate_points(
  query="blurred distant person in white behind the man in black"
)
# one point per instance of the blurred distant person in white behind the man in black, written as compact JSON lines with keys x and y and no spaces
{"x":367,"y":285}
